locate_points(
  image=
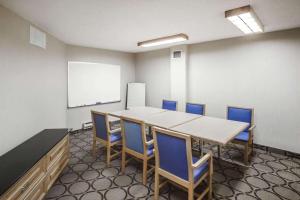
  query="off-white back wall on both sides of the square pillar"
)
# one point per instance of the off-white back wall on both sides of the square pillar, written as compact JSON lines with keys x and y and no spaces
{"x":259,"y":71}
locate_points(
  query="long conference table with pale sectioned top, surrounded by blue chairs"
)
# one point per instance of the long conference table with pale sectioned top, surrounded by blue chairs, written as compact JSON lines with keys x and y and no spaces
{"x":209,"y":129}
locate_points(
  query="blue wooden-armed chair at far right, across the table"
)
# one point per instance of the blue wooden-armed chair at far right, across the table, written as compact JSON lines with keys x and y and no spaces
{"x":245,"y":137}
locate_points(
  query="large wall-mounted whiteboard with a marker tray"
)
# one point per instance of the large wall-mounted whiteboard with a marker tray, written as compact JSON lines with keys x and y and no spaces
{"x":93,"y":83}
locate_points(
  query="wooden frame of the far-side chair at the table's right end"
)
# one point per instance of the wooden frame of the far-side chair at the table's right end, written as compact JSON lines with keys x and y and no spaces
{"x":247,"y":144}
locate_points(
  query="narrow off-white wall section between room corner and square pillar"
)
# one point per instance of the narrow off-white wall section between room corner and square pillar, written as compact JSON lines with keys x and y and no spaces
{"x":153,"y":68}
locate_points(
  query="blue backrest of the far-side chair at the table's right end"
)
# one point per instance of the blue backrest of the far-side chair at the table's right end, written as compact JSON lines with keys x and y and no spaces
{"x":240,"y":114}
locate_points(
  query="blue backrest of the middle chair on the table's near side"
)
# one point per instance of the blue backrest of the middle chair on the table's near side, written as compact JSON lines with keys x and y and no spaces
{"x":133,"y":136}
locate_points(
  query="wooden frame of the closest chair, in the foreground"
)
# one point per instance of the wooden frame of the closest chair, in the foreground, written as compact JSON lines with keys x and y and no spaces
{"x":189,"y":185}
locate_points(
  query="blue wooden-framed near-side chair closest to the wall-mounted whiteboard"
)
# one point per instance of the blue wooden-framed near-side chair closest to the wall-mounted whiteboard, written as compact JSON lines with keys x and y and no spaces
{"x":104,"y":135}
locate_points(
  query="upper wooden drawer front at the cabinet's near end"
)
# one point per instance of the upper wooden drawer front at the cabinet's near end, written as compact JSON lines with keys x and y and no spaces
{"x":27,"y":182}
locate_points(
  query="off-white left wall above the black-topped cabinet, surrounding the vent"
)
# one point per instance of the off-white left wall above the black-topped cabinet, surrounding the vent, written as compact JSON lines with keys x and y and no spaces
{"x":33,"y":83}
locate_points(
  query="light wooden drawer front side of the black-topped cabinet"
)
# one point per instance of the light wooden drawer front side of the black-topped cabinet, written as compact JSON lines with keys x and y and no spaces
{"x":39,"y":179}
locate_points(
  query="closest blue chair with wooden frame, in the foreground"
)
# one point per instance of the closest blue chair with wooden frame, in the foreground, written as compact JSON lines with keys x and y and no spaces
{"x":174,"y":161}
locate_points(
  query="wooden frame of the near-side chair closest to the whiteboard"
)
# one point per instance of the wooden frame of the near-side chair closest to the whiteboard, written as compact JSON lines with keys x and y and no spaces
{"x":108,"y":144}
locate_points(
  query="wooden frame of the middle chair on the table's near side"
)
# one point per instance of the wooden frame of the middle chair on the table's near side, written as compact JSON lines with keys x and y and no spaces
{"x":144,"y":157}
